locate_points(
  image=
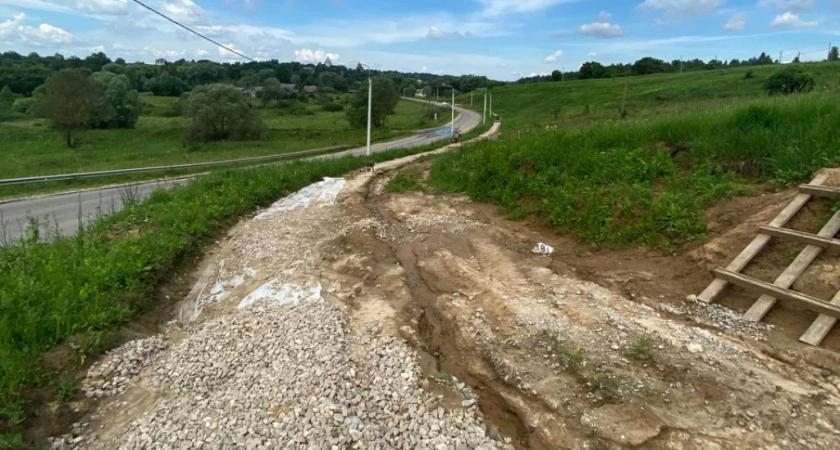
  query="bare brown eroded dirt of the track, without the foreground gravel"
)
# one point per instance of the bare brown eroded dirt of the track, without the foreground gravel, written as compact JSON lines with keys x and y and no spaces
{"x":580,"y":349}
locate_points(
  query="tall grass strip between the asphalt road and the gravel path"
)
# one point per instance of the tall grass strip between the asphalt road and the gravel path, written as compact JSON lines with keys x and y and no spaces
{"x":108,"y":272}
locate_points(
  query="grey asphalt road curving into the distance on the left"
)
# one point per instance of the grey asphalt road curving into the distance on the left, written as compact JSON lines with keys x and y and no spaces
{"x":63,"y":213}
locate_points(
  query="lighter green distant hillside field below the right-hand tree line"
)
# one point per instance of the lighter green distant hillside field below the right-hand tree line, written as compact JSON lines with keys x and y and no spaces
{"x":533,"y":107}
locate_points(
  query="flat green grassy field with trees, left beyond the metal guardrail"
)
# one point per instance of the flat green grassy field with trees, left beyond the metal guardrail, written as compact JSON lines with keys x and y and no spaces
{"x":32,"y":148}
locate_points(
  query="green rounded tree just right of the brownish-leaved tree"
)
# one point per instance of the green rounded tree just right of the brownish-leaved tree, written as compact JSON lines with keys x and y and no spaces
{"x":120,"y":106}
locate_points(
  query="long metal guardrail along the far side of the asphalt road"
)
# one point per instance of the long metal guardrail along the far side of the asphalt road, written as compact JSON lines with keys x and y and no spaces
{"x":108,"y":173}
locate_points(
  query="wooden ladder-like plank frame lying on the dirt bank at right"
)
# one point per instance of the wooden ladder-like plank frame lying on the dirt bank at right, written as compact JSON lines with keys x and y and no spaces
{"x":829,"y":311}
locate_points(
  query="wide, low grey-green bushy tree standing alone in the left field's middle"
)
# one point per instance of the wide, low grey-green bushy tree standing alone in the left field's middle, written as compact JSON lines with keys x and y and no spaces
{"x":219,"y":112}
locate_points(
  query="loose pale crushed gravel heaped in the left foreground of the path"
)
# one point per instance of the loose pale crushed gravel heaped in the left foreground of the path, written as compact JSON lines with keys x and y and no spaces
{"x":292,"y":377}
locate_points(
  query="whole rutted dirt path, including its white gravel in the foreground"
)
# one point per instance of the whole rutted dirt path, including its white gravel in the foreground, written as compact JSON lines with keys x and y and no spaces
{"x":421,"y":321}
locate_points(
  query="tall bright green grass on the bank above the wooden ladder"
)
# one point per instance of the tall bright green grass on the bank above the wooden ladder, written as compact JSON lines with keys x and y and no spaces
{"x":647,"y":183}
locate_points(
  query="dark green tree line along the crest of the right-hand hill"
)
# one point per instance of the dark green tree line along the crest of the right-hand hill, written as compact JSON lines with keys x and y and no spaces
{"x":650,"y":65}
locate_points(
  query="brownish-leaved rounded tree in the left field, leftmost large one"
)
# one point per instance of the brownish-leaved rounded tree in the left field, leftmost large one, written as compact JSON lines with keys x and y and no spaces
{"x":68,"y":102}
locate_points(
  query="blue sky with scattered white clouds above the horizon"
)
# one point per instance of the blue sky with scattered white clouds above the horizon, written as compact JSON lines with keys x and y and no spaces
{"x":502,"y":39}
